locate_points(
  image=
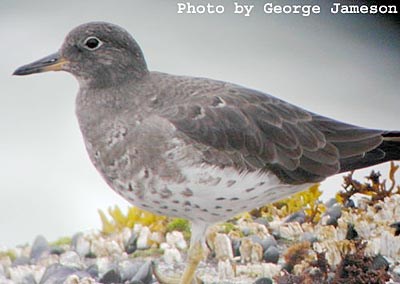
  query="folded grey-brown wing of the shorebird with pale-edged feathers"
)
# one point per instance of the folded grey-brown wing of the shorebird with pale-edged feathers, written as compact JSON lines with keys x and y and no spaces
{"x":257,"y":131}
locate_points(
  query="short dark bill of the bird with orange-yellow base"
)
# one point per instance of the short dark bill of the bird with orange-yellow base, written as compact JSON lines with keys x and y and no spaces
{"x":53,"y":62}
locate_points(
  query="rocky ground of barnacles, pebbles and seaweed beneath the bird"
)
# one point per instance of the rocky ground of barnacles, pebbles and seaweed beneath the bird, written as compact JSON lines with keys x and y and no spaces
{"x":351,"y":242}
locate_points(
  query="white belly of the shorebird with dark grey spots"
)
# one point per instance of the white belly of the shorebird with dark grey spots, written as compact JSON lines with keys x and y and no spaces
{"x":206,"y":193}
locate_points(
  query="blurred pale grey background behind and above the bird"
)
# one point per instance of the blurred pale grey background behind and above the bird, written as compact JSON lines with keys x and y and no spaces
{"x":346,"y":67}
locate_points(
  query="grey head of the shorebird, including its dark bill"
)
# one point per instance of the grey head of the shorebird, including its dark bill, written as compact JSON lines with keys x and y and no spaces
{"x":96,"y":53}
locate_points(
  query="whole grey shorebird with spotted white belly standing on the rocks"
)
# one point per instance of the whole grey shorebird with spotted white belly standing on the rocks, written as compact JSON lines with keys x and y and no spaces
{"x":197,"y":148}
